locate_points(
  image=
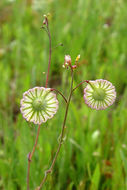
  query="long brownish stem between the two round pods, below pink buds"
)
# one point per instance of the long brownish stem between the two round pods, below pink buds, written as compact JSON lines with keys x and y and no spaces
{"x":61,"y":136}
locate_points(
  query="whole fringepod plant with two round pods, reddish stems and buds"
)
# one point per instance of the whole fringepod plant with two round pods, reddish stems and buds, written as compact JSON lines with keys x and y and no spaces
{"x":40,"y":103}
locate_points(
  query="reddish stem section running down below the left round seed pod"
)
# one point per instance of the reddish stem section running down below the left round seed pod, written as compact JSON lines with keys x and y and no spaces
{"x":30,"y":156}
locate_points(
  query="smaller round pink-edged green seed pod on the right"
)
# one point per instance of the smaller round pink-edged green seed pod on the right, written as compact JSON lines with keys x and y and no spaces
{"x":99,"y":94}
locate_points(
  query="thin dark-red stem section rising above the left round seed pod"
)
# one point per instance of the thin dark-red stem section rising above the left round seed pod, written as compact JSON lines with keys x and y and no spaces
{"x":50,"y":53}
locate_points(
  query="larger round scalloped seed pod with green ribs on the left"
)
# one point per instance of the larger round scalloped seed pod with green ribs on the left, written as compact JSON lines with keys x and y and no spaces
{"x":38,"y":105}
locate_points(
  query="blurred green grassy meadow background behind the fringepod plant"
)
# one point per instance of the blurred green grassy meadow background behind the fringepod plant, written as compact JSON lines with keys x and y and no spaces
{"x":94,"y":155}
